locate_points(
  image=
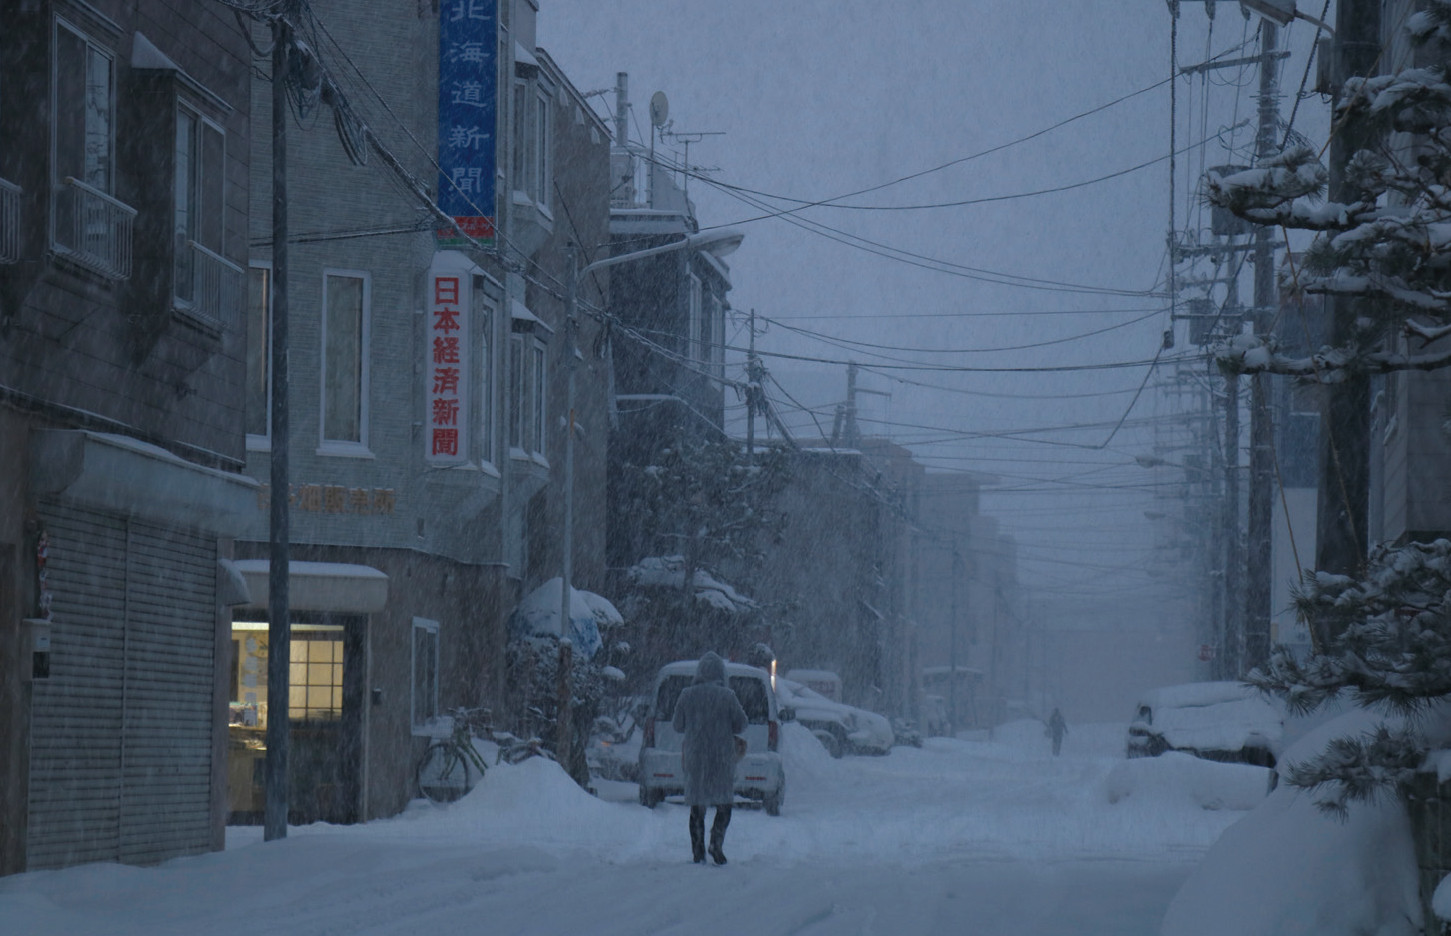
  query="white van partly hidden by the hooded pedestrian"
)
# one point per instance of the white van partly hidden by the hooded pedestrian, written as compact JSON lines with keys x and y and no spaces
{"x":760,"y":774}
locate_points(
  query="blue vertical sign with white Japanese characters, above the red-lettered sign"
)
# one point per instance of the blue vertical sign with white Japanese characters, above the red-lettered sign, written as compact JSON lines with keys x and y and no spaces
{"x":468,"y":114}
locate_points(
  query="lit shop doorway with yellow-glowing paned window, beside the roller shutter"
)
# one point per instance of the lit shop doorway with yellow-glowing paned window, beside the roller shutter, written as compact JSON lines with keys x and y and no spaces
{"x":326,"y":684}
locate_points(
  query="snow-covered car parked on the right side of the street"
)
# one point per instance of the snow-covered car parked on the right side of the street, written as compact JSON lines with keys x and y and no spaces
{"x":1212,"y":721}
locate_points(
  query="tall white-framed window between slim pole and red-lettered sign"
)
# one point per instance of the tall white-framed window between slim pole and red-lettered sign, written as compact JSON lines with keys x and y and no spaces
{"x":345,"y":361}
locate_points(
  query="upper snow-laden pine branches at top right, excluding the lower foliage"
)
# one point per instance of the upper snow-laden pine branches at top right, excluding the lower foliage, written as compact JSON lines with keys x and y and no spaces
{"x":1389,"y":243}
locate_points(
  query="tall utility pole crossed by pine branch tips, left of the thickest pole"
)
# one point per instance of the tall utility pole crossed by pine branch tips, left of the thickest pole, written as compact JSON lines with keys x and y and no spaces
{"x":1256,"y":648}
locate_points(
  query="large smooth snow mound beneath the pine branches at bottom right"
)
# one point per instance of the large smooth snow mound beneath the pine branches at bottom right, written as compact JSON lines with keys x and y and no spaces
{"x":1289,"y":869}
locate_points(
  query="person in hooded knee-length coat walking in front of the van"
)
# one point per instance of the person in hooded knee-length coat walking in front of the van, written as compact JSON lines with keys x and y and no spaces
{"x":709,"y":718}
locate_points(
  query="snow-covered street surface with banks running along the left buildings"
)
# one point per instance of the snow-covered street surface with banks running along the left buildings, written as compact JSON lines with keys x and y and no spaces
{"x":957,"y":838}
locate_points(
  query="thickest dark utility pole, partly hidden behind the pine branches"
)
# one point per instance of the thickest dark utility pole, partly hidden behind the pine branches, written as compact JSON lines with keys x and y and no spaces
{"x":1344,"y":477}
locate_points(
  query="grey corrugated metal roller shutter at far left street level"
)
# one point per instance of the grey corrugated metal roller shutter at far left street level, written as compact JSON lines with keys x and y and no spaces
{"x":121,"y":747}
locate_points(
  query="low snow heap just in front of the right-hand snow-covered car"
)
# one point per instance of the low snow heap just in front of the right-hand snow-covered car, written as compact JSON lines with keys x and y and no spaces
{"x":1179,"y":777}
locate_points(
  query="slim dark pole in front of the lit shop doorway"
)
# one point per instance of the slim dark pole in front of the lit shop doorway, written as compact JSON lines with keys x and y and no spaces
{"x":279,"y":623}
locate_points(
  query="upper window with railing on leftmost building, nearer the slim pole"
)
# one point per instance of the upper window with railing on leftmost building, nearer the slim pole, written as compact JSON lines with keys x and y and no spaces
{"x":204,"y":281}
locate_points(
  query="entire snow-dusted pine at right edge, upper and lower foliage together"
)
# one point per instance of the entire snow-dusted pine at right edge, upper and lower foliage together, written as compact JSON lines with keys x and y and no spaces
{"x":1385,"y":633}
